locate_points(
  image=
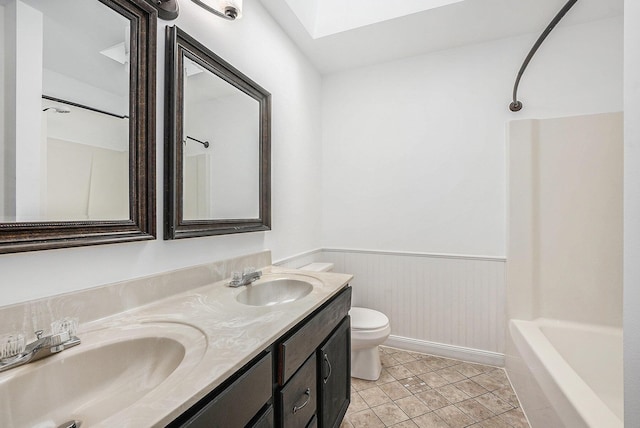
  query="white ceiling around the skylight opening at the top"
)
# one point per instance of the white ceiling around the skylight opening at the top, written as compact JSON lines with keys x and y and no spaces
{"x":448,"y":26}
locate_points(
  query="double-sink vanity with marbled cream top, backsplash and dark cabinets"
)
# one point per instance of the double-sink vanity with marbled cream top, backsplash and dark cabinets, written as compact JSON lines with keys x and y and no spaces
{"x":184,"y":349}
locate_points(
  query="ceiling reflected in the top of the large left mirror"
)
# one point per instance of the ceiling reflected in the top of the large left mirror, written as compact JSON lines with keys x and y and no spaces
{"x":75,"y":32}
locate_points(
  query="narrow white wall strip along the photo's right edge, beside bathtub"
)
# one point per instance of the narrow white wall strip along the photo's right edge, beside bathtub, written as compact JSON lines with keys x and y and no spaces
{"x":632,"y":213}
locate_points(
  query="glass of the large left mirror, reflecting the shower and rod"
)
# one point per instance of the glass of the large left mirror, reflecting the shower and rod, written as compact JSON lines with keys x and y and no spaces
{"x":57,"y":166}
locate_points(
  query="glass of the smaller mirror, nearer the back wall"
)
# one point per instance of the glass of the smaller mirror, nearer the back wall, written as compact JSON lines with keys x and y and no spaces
{"x":228,"y":122}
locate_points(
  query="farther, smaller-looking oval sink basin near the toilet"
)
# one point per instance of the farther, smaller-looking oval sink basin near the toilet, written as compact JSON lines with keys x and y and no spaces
{"x":274,"y":292}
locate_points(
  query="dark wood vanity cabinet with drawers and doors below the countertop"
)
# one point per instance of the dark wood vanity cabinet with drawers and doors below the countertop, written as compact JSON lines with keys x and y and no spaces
{"x":301,"y":380}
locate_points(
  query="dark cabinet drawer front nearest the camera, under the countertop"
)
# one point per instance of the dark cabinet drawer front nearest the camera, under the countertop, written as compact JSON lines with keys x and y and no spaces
{"x":237,"y":404}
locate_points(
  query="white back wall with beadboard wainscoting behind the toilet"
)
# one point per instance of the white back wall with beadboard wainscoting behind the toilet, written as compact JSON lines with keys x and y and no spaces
{"x":414,"y":174}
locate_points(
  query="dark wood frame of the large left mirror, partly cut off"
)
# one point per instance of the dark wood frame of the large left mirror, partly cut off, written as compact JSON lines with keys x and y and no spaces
{"x":141,"y":225}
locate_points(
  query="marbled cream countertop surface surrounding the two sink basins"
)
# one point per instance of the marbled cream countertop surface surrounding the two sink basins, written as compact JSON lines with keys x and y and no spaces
{"x":223,"y":336}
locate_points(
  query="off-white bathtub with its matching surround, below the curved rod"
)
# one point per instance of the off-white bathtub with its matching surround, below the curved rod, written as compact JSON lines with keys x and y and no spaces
{"x":566,"y":268}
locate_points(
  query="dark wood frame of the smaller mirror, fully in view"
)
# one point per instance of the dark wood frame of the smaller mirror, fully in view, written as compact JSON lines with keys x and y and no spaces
{"x":178,"y":46}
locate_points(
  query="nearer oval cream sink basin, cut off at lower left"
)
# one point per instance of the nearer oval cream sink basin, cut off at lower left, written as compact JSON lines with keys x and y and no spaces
{"x":108,"y":372}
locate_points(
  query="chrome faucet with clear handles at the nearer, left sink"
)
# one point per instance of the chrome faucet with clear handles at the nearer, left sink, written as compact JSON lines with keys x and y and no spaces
{"x":40,"y":348}
